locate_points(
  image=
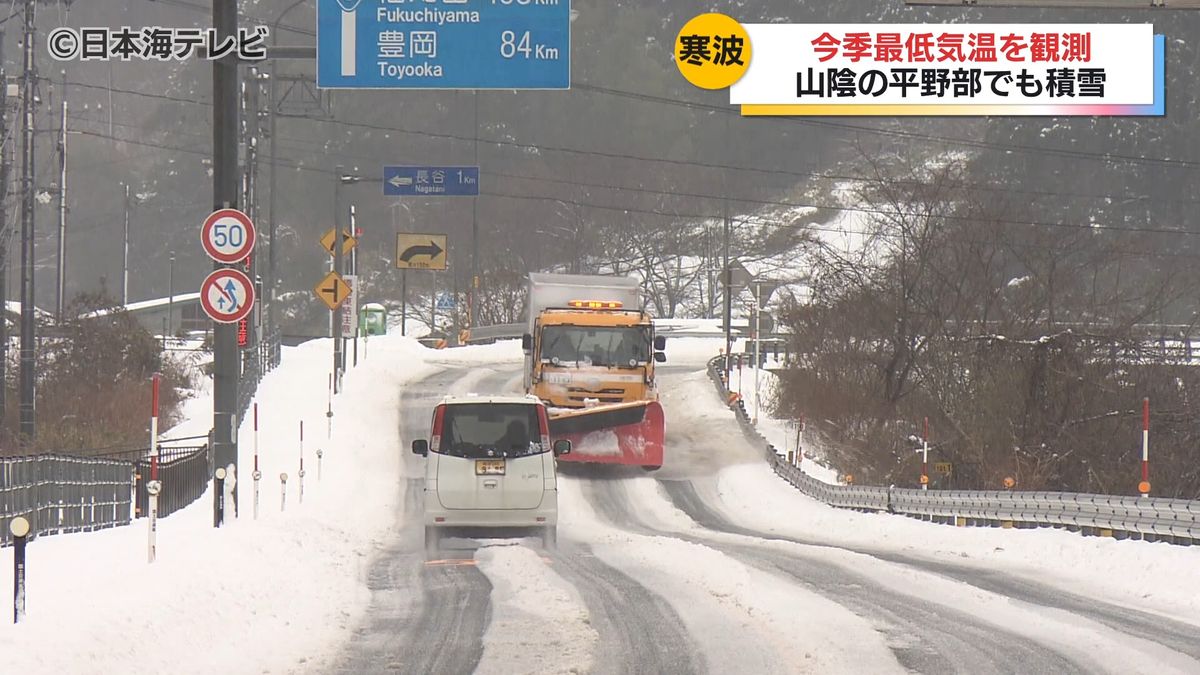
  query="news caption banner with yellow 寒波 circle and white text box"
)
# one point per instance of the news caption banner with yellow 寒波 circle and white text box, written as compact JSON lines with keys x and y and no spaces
{"x":892,"y":70}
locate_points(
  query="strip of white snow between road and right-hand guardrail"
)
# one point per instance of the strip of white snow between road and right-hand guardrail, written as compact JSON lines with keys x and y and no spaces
{"x":1153,"y":577}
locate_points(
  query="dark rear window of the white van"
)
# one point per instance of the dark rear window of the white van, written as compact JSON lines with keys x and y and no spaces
{"x":491,"y":431}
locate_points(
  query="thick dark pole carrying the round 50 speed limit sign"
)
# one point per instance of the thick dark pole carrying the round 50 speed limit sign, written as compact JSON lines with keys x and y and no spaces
{"x":226,"y":368}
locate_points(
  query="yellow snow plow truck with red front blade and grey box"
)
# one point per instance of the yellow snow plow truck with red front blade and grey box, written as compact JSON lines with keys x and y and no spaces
{"x":590,"y":355}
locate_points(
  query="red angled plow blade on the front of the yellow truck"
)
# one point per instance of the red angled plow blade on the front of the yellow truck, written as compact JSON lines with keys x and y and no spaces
{"x":631,"y":434}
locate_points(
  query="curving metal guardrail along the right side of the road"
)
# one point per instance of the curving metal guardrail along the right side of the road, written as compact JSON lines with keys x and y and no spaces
{"x":1150,"y":518}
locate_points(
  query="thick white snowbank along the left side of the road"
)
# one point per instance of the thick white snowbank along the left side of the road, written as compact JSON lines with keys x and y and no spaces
{"x":255,"y":596}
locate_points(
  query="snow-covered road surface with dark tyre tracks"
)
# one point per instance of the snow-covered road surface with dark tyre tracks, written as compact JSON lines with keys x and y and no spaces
{"x":709,"y":568}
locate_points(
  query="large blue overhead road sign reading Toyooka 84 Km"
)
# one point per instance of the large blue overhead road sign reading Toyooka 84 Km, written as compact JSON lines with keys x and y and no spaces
{"x":443,"y":44}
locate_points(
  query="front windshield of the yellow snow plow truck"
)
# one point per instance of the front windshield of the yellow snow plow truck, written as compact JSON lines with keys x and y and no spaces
{"x":613,"y":347}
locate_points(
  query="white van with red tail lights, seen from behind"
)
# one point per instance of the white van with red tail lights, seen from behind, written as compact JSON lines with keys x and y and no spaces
{"x":491,"y":470}
